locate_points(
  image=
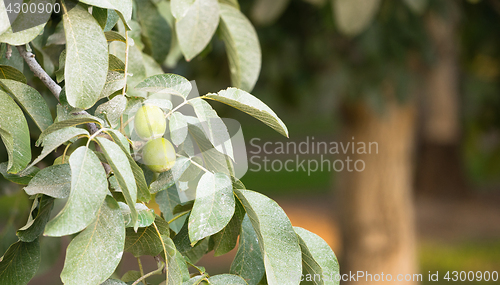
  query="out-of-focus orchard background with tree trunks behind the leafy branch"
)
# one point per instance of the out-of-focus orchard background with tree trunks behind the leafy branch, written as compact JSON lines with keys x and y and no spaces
{"x":419,"y":77}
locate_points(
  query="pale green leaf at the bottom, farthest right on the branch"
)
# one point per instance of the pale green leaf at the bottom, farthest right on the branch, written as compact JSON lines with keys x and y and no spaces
{"x":318,"y":257}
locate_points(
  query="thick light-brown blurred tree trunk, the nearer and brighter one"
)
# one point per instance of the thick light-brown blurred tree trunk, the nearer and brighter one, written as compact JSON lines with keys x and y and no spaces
{"x":377,"y":215}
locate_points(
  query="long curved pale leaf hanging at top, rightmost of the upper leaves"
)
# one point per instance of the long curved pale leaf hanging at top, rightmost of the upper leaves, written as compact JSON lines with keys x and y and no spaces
{"x":242,"y":46}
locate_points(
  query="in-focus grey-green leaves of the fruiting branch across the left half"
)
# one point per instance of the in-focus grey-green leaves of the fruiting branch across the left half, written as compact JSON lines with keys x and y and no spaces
{"x":110,"y":56}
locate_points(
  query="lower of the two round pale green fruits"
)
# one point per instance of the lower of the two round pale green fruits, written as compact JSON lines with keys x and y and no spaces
{"x":159,"y":155}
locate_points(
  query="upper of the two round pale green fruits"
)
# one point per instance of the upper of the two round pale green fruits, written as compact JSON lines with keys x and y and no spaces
{"x":149,"y":122}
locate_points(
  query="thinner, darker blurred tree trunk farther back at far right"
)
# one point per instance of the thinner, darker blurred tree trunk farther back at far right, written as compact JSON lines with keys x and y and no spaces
{"x":439,"y":170}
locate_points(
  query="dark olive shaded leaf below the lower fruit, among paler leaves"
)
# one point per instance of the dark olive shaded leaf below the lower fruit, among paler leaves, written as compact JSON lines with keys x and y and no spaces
{"x":146,"y":240}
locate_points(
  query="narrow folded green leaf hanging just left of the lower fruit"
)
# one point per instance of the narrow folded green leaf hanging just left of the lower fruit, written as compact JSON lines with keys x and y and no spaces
{"x":143,"y":194}
